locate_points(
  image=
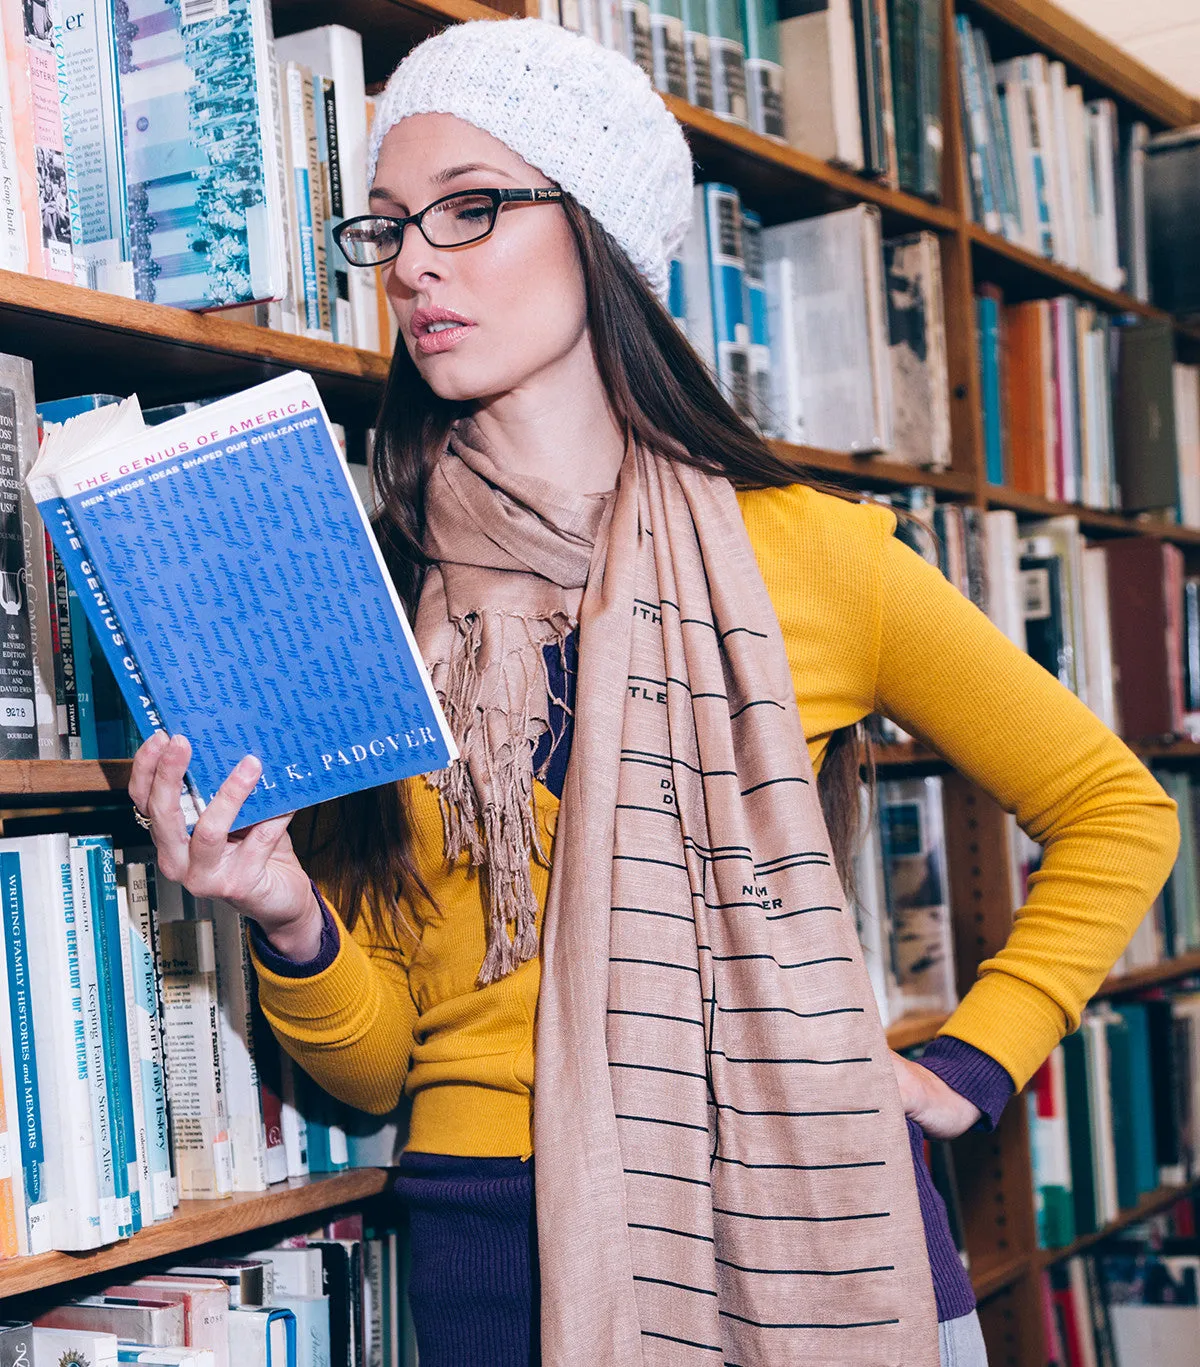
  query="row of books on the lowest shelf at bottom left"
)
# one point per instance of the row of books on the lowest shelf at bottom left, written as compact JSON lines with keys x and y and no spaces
{"x":336,"y":1298}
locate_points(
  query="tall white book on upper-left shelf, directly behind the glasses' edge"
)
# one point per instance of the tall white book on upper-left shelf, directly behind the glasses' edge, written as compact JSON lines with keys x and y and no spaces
{"x":337,"y":53}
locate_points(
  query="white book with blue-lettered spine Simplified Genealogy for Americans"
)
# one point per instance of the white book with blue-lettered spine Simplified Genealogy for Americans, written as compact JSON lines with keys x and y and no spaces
{"x":54,"y":941}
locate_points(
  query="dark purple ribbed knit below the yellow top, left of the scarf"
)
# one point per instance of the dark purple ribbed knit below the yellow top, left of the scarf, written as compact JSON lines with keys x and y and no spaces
{"x":474,"y":1290}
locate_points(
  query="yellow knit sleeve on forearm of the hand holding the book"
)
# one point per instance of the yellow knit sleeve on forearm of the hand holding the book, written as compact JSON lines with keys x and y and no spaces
{"x":349,"y":1027}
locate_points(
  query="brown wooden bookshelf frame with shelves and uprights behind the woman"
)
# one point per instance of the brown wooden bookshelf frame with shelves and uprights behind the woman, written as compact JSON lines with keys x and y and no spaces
{"x":81,"y":341}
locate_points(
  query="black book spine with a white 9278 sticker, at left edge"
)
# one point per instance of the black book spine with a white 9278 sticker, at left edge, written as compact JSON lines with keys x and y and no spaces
{"x":18,"y":692}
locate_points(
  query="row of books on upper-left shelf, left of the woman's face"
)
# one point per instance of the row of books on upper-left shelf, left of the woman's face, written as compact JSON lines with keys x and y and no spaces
{"x":174,"y":154}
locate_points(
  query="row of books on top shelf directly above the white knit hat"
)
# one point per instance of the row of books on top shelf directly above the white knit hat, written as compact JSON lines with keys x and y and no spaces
{"x":858,"y":83}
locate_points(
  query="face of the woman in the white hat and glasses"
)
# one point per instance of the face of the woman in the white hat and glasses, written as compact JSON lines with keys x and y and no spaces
{"x":519,"y":293}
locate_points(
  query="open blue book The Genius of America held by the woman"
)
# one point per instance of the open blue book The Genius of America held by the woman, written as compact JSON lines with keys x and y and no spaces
{"x":270,"y":624}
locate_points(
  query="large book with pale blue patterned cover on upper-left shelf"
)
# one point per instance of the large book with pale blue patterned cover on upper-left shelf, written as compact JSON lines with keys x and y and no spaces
{"x":206,"y":219}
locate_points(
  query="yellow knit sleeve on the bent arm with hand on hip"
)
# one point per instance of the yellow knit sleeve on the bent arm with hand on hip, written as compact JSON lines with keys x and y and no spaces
{"x":1110,"y":835}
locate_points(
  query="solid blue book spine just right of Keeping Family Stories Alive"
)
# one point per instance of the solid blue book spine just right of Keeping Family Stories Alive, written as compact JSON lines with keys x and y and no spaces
{"x":107,"y":933}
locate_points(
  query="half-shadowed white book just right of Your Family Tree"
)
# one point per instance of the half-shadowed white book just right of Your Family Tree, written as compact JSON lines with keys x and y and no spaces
{"x":248,"y":1135}
